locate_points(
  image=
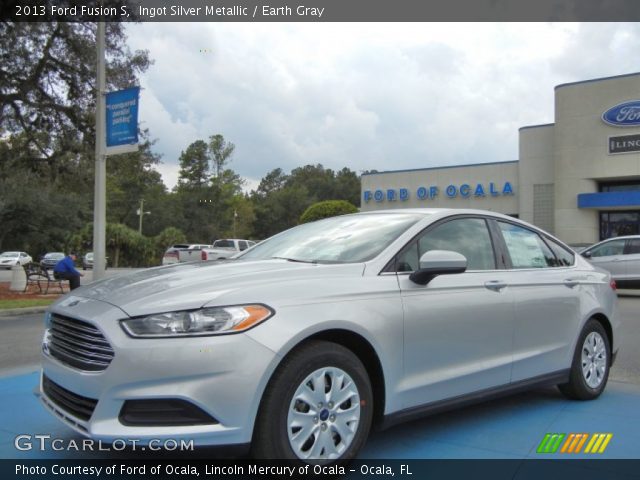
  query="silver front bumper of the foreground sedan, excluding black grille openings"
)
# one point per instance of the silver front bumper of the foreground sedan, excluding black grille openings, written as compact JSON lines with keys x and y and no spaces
{"x":223,"y":375}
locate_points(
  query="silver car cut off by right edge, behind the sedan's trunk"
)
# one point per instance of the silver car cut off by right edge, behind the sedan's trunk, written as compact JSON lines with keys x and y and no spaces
{"x":620,"y":256}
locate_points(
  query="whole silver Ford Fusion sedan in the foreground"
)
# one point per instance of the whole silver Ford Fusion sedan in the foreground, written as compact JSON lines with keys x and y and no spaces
{"x":304,"y":342}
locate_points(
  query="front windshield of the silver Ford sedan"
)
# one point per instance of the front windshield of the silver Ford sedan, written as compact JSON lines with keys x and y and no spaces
{"x":344,"y":239}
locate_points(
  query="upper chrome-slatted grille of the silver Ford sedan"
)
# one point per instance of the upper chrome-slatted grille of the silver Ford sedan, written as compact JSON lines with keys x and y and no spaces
{"x":78,"y":344}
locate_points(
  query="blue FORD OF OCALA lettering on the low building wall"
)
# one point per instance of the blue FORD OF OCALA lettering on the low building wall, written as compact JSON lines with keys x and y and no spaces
{"x":429,"y":193}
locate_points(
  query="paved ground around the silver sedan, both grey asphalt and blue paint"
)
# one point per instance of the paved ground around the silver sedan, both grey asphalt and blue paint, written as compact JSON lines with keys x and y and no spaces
{"x":509,"y":428}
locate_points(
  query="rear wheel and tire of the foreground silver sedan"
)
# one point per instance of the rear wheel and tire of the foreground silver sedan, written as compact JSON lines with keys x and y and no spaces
{"x":594,"y":351}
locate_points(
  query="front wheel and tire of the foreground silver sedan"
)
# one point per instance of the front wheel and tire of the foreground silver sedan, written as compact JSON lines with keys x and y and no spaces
{"x":289,"y":426}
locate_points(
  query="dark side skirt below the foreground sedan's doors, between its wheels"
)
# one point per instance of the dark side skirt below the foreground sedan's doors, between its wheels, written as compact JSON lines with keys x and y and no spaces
{"x":480,"y":396}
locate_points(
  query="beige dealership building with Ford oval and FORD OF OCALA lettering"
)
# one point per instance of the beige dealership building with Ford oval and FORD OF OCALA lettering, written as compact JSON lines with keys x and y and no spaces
{"x":578,"y":178}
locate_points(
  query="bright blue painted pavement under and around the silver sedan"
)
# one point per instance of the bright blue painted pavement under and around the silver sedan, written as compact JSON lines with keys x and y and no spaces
{"x":510,"y":428}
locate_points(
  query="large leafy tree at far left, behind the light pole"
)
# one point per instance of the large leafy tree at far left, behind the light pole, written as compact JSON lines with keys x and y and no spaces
{"x":47,"y":106}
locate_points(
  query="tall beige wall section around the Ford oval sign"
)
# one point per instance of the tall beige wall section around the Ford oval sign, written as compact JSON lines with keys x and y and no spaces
{"x":581,"y":157}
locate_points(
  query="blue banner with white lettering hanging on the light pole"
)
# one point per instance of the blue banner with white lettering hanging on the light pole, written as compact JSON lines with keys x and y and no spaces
{"x":122,"y":117}
